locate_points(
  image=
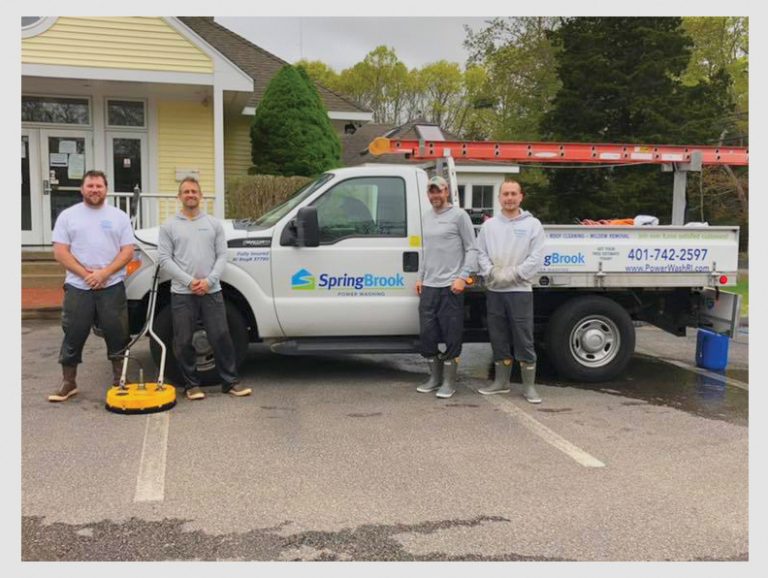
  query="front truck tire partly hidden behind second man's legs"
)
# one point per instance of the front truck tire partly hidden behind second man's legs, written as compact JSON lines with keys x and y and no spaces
{"x":206,"y":365}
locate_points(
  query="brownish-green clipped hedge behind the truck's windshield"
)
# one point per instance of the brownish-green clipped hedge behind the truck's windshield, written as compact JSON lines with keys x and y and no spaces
{"x":252,"y":196}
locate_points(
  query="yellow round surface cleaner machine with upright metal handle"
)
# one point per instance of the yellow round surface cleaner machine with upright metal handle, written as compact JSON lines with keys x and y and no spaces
{"x":142,"y":397}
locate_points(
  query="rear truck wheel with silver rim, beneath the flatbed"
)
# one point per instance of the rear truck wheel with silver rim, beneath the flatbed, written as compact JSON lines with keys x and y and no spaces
{"x":590,"y":339}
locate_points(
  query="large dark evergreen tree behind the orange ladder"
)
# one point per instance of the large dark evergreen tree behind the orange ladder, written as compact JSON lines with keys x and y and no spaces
{"x":622,"y":83}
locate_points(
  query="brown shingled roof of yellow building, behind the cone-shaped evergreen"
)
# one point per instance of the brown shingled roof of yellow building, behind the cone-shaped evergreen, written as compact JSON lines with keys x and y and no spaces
{"x":257,"y":62}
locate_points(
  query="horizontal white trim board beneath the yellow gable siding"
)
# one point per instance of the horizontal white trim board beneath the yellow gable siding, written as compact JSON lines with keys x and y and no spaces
{"x":122,"y":75}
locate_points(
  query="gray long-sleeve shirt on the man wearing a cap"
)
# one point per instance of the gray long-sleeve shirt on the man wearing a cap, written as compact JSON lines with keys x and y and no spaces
{"x":449,"y":247}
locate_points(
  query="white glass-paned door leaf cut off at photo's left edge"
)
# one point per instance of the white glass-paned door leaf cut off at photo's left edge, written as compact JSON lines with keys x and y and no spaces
{"x":31,"y":188}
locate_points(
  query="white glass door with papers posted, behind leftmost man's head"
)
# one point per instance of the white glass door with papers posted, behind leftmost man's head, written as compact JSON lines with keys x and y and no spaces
{"x":65,"y":156}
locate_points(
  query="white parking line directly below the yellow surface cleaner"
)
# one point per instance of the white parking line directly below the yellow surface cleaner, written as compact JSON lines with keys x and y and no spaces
{"x":150,"y":484}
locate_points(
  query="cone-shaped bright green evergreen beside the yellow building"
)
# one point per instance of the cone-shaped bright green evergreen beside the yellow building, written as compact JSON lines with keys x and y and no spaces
{"x":291,"y":134}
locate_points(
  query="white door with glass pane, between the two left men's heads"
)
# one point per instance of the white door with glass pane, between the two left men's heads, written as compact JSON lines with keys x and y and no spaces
{"x":127,"y":166}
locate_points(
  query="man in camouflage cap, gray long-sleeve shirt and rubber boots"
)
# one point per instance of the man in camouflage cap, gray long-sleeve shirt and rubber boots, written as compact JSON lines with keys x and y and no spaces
{"x":449,"y":259}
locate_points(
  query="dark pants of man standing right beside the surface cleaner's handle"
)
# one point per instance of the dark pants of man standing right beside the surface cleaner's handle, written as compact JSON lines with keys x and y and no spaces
{"x":186,"y":310}
